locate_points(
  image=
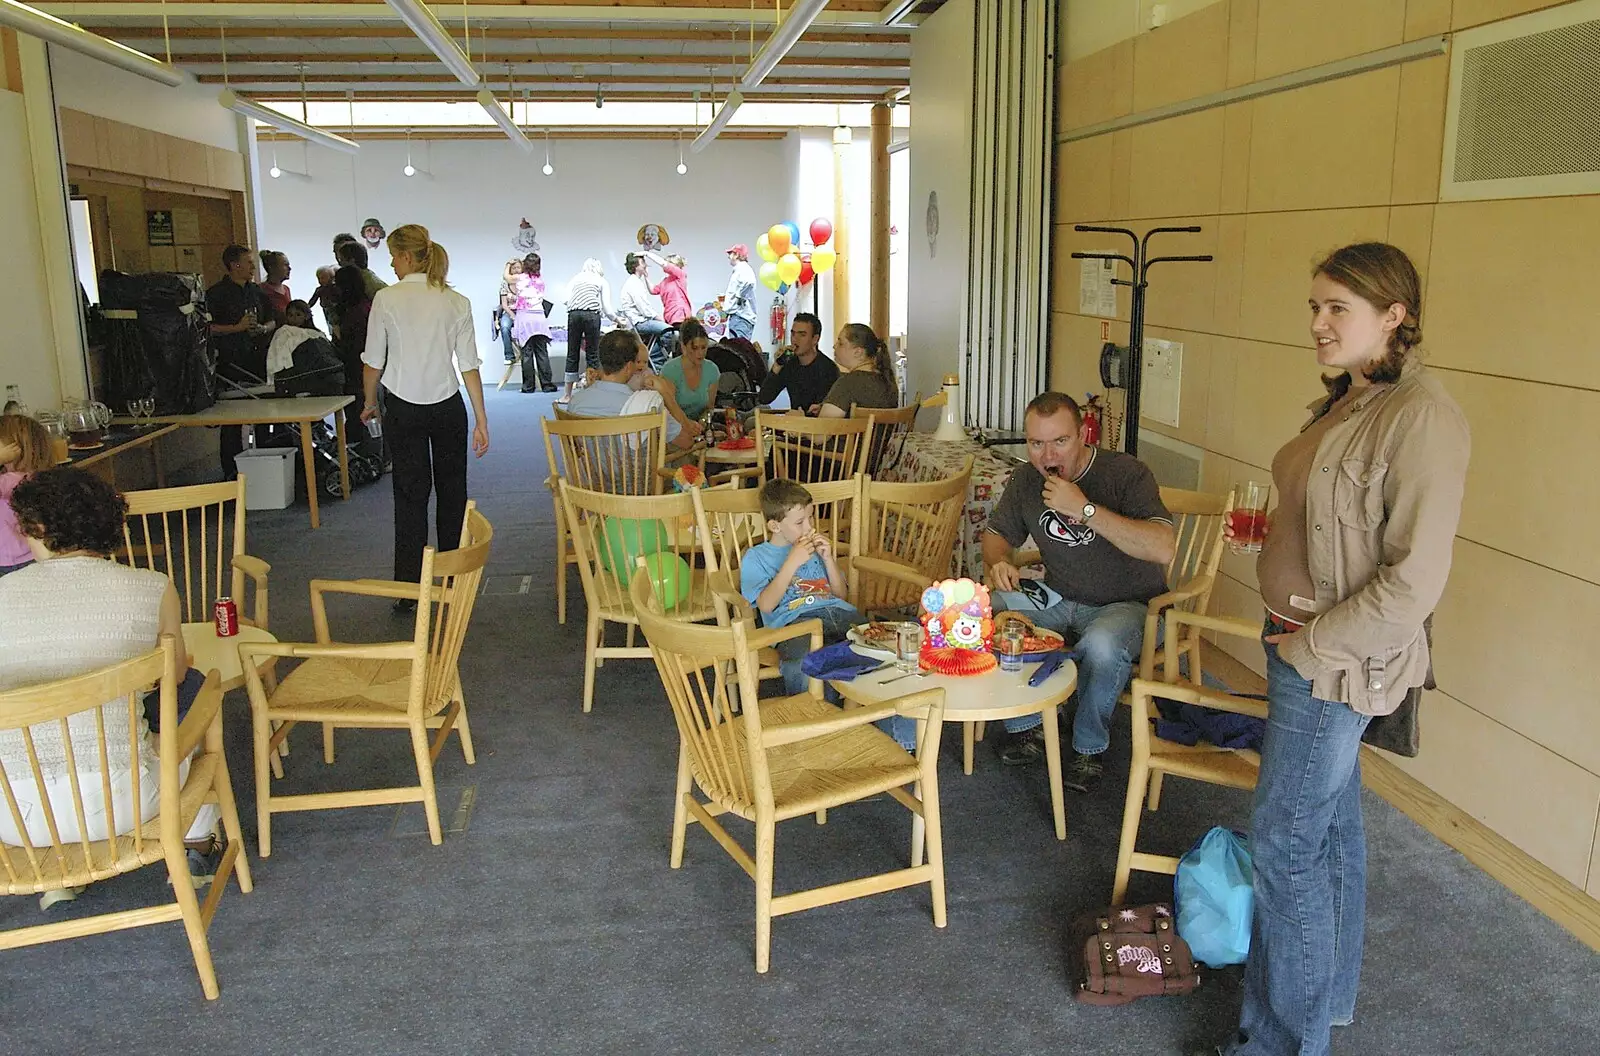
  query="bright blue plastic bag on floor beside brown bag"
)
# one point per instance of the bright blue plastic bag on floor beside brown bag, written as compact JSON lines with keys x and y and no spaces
{"x":1215,"y":898}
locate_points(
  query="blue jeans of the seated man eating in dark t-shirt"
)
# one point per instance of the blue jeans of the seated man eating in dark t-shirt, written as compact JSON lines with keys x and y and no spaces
{"x":1110,"y":639}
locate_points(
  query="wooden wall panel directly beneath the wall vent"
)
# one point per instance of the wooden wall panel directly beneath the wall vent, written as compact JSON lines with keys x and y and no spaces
{"x":1508,"y":286}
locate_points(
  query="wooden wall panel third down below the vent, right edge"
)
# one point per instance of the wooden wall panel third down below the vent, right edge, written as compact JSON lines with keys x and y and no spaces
{"x":1546,"y":692}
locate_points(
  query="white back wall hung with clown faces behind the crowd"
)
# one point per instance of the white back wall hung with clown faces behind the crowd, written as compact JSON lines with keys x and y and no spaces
{"x":478,"y":193}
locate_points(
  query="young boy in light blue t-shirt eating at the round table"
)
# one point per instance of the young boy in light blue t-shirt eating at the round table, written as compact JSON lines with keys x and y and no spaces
{"x":794,"y":575}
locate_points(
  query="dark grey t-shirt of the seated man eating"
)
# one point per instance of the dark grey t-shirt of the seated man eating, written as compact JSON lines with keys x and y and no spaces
{"x":1079,"y":564}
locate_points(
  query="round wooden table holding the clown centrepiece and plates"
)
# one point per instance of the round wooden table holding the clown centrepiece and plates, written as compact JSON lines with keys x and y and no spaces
{"x":985,"y":698}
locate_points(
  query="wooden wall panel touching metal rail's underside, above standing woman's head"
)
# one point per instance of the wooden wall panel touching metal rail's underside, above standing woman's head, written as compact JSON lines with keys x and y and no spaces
{"x":1300,"y":162}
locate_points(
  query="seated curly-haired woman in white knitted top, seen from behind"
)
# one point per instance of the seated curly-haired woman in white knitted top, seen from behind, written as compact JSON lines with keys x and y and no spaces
{"x":71,"y":612}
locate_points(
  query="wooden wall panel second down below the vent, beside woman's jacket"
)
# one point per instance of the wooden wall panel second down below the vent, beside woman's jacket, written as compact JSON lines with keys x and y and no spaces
{"x":1522,"y":495}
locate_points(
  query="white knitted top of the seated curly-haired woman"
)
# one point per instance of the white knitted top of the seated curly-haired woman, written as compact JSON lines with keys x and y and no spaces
{"x":70,"y":617}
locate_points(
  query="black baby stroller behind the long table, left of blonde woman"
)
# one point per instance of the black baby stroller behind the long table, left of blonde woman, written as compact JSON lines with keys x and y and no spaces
{"x":311,"y":369}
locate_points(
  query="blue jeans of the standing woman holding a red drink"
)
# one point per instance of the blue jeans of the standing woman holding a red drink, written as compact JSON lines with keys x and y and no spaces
{"x":1310,"y":858}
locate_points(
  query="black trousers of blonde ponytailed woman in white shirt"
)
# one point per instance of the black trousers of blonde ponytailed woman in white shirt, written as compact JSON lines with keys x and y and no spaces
{"x":428,"y":444}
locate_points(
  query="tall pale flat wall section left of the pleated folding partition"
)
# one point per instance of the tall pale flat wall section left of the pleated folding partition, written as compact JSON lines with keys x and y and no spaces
{"x":942,"y":156}
